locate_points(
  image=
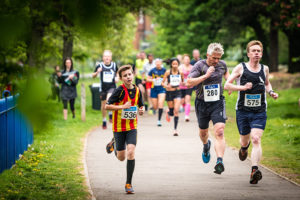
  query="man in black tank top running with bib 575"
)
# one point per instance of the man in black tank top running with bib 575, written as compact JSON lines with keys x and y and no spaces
{"x":252,"y":84}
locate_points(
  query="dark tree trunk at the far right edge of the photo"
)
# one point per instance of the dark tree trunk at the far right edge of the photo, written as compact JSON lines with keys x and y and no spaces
{"x":294,"y":50}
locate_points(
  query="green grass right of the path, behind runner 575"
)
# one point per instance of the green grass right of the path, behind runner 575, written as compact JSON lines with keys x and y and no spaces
{"x":281,"y":138}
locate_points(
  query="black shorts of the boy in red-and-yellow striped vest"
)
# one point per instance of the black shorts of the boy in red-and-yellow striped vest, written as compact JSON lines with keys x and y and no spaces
{"x":124,"y":138}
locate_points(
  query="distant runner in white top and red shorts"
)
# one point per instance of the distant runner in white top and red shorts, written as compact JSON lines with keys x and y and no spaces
{"x":146,"y":69}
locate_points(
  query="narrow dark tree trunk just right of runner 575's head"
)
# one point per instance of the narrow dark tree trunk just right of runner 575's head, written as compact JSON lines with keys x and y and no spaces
{"x":273,"y":58}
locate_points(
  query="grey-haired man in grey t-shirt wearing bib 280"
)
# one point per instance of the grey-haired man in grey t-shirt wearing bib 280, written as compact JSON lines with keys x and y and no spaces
{"x":210,"y":103}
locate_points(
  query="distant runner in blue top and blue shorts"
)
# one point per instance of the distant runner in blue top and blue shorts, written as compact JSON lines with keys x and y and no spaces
{"x":158,"y":92}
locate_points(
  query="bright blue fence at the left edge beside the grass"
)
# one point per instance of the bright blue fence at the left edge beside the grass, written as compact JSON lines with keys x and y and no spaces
{"x":15,"y":133}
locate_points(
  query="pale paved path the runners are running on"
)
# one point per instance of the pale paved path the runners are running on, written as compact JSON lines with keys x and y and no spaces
{"x":169,"y":167}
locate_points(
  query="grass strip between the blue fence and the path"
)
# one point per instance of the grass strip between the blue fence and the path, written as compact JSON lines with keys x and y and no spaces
{"x":52,"y":167}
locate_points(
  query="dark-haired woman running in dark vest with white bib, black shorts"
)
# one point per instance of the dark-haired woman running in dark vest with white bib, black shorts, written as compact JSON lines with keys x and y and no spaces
{"x":173,"y":93}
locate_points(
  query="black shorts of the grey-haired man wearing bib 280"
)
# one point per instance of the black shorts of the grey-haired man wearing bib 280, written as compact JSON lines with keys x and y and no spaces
{"x":207,"y":111}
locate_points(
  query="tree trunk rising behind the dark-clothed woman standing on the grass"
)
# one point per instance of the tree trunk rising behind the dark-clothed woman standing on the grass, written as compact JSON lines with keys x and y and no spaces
{"x":68,"y":38}
